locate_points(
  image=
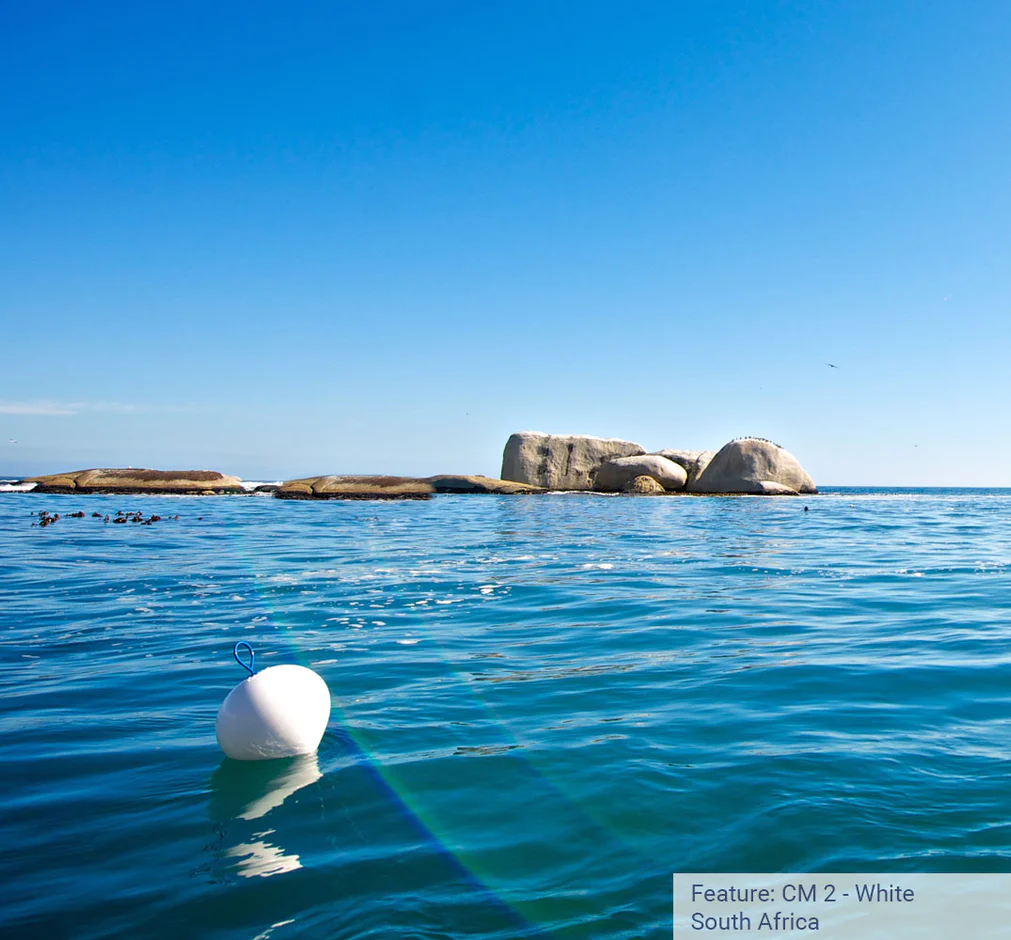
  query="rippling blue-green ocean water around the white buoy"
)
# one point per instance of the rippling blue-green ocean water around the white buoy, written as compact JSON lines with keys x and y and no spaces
{"x":542,"y":708}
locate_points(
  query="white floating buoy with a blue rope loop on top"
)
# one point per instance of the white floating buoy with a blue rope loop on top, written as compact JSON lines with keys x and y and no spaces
{"x":282,"y":712}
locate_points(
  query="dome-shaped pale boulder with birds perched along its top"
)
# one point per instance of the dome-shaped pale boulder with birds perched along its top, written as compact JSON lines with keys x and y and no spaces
{"x":753,"y":465}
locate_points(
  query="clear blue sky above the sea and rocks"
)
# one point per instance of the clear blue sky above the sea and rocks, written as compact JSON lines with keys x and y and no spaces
{"x":280,"y":240}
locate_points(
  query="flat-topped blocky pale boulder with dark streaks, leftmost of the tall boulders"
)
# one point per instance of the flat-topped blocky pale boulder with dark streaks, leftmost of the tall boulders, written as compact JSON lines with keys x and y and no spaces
{"x":561,"y":461}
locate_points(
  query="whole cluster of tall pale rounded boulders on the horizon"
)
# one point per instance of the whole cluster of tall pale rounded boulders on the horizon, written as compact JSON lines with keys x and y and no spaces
{"x":752,"y":466}
